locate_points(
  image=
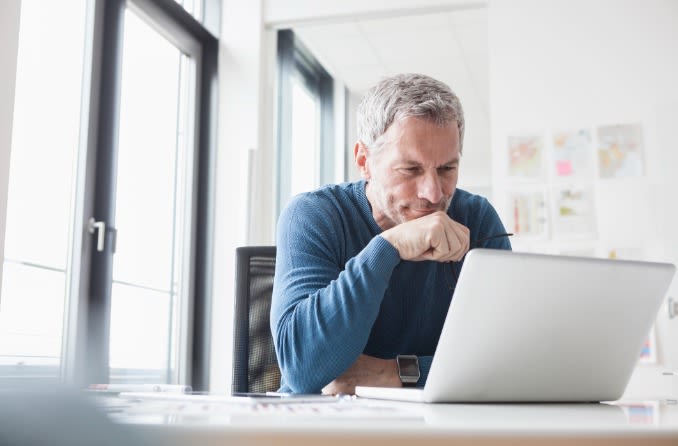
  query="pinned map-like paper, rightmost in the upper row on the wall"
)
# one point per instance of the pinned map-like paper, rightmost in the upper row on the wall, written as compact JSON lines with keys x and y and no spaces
{"x":620,"y":151}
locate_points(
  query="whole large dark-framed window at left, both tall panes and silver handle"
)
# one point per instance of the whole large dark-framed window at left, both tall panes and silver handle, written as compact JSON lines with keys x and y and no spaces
{"x":105,"y":271}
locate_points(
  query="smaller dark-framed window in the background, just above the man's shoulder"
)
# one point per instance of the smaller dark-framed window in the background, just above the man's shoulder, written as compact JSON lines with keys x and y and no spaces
{"x":305,"y":121}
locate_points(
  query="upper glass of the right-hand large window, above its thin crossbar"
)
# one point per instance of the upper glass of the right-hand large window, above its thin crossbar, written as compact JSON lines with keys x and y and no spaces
{"x":147,"y":157}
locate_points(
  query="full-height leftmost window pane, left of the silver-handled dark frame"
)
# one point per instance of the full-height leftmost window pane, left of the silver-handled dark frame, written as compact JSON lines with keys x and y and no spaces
{"x":42,"y":168}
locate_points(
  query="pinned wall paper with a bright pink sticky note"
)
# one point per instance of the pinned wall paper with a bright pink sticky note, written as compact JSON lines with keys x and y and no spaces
{"x":572,"y":153}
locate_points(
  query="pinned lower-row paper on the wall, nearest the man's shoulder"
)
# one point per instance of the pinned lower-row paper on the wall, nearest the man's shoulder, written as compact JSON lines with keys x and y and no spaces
{"x":529,"y":213}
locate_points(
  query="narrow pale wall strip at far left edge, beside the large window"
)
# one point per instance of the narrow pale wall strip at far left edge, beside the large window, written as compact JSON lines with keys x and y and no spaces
{"x":9,"y":45}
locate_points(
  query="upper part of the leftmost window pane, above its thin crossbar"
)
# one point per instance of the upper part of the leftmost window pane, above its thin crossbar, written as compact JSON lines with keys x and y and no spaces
{"x":45,"y":131}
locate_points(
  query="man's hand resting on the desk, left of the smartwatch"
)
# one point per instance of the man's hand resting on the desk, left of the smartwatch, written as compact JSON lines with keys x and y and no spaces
{"x":366,"y":371}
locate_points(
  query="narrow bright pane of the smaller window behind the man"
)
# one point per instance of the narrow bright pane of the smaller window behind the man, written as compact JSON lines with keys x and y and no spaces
{"x":305,"y":140}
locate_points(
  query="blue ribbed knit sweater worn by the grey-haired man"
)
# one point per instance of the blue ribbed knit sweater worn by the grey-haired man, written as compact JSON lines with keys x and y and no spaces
{"x":341,"y":289}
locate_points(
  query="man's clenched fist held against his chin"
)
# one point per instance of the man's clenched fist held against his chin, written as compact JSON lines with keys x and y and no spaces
{"x":432,"y":237}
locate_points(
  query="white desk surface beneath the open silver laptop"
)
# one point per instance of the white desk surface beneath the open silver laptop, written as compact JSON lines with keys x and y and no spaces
{"x":382,"y":423}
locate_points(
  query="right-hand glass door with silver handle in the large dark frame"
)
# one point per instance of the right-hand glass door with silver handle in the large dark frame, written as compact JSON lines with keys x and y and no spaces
{"x":144,"y":208}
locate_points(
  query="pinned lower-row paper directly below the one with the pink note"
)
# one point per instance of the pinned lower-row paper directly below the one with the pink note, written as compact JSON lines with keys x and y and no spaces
{"x":574,"y":211}
